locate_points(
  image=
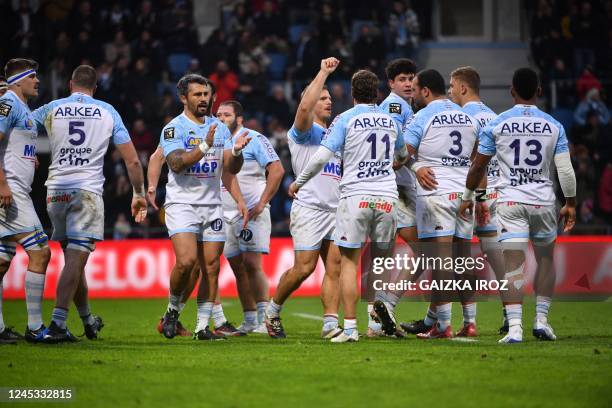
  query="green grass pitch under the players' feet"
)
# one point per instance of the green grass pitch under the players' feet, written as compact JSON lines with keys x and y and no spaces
{"x":134,"y":366}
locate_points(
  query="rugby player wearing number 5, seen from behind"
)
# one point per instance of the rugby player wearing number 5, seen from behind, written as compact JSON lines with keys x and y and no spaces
{"x":80,"y":129}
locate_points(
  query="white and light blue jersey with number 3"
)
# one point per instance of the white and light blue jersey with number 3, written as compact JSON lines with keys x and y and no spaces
{"x":444,"y":137}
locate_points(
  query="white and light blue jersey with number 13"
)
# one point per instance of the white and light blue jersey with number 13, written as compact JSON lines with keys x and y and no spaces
{"x":525,"y":140}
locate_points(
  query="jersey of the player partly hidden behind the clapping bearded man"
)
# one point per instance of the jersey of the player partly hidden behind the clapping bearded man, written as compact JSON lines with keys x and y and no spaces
{"x":252,"y":176}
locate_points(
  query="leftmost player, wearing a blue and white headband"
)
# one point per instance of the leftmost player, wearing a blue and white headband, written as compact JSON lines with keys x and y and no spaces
{"x":19,"y":223}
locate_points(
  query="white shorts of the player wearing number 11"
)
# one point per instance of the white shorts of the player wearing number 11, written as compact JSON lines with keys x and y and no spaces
{"x":364,"y":216}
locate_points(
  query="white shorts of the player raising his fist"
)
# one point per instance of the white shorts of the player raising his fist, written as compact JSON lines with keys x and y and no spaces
{"x":310,"y":227}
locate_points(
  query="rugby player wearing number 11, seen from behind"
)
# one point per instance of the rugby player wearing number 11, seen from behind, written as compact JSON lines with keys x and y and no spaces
{"x":370,"y":140}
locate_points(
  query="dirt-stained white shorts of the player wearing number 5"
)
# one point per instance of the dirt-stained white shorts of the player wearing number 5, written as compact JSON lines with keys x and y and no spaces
{"x":75,"y":213}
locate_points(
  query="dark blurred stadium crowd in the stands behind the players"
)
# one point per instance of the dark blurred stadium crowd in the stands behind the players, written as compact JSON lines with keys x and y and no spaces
{"x":264,"y":53}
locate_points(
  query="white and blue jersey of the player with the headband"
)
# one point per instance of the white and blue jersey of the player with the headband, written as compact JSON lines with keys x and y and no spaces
{"x":18,"y":147}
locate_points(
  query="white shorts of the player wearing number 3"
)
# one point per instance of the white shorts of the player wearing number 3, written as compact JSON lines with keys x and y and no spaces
{"x":438,"y":216}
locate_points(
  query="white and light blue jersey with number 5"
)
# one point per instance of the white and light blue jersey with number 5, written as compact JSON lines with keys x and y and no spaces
{"x":80,"y":129}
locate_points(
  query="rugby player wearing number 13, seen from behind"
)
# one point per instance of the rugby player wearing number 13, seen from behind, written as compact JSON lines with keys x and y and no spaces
{"x":526,"y":142}
